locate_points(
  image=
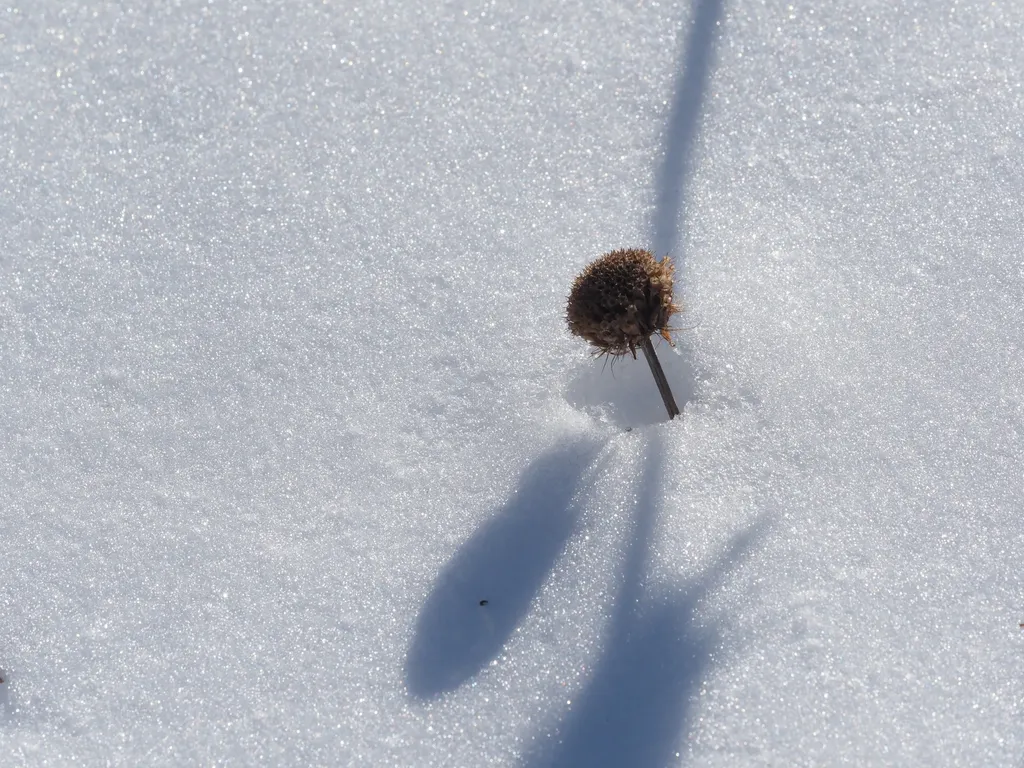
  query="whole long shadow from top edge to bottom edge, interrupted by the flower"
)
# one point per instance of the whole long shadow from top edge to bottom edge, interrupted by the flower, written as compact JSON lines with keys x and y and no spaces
{"x":634,"y":710}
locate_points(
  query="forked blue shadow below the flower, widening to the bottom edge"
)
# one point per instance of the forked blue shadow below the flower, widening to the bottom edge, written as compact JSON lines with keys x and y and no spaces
{"x":635,"y":709}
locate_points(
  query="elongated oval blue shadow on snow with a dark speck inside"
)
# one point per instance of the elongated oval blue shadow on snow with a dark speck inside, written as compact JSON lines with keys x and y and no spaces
{"x":505,"y":564}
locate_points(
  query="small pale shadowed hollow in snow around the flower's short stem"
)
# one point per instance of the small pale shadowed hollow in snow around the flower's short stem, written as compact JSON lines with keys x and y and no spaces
{"x":623,"y":393}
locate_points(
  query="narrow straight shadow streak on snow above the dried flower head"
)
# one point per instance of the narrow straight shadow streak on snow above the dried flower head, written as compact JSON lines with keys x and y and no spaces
{"x":685,"y":124}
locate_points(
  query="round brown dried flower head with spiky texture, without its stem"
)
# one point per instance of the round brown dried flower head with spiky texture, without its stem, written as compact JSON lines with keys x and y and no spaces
{"x":621,"y":300}
